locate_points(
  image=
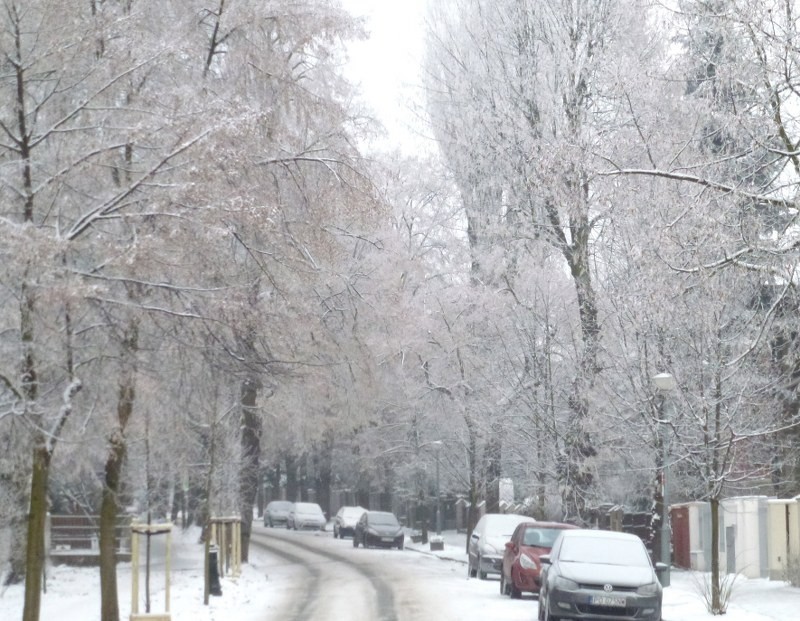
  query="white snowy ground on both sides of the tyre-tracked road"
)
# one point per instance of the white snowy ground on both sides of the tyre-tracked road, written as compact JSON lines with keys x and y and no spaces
{"x":73,"y":594}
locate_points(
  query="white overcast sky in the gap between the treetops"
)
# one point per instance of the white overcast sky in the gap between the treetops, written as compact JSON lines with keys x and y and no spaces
{"x":386,"y":65}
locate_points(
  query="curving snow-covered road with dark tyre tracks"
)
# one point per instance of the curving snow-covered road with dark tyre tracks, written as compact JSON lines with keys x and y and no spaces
{"x":321,"y":578}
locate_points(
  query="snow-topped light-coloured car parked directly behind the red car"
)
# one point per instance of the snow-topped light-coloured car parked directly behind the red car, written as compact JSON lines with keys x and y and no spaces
{"x":488,"y":542}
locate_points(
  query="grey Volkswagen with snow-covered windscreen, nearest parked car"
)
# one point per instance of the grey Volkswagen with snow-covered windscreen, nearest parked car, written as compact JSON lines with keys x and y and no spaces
{"x":595,"y":573}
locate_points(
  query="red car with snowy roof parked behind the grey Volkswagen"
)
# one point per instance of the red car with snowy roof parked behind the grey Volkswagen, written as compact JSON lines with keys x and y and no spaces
{"x":521,"y":566}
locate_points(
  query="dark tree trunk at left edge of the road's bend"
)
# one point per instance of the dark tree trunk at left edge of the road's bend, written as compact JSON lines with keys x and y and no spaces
{"x":251,"y":451}
